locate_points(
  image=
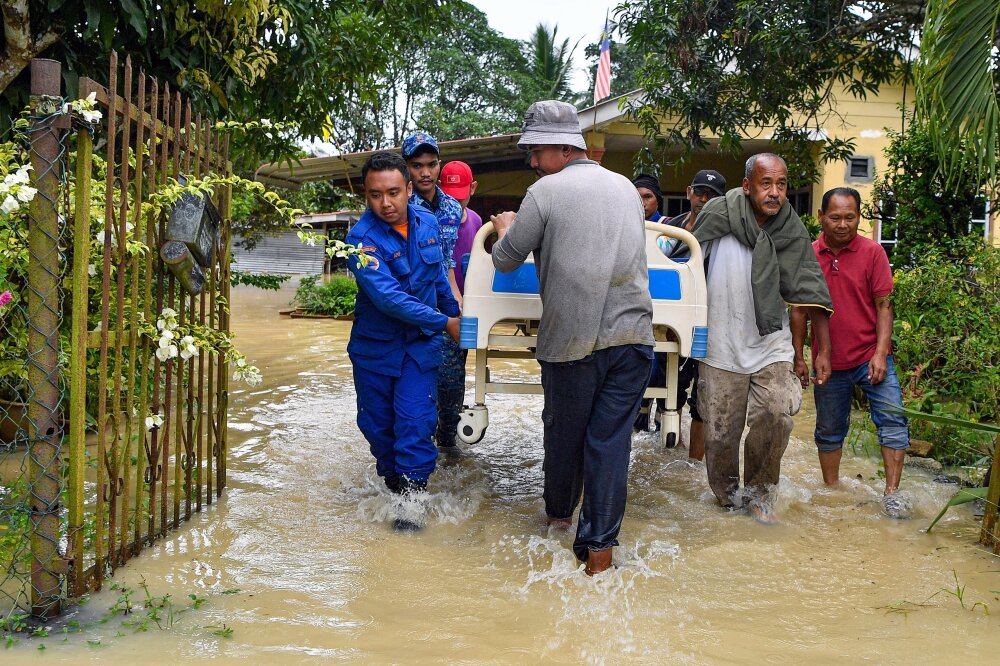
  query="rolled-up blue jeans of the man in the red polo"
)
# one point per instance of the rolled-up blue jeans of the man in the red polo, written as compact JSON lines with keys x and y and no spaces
{"x":833,"y":407}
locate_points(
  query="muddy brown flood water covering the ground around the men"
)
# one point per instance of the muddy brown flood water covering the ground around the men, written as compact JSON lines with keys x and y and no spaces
{"x":299,"y":560}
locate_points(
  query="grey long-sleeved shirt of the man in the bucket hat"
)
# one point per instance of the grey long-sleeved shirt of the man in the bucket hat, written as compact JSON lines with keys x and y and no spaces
{"x":585,"y":226}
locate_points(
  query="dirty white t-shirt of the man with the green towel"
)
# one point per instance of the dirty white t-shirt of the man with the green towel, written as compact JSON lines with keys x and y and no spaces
{"x":733,"y":341}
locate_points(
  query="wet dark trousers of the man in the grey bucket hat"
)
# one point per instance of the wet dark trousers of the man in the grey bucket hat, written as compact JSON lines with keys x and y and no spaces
{"x":590,"y":405}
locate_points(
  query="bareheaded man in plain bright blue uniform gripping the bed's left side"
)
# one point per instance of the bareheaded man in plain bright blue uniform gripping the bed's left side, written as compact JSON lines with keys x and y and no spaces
{"x":404,"y":303}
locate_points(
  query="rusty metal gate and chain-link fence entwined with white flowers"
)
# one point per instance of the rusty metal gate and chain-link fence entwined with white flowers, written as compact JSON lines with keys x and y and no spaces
{"x":108,"y":437}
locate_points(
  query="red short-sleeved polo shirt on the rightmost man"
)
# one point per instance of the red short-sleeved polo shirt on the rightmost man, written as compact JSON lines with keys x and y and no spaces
{"x":856,"y":275}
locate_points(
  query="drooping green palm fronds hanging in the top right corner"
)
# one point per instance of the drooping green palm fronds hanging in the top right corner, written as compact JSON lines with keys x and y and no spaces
{"x":957,"y":84}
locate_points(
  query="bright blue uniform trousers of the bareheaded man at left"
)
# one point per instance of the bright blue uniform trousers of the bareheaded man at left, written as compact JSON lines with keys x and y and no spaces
{"x":397,"y":416}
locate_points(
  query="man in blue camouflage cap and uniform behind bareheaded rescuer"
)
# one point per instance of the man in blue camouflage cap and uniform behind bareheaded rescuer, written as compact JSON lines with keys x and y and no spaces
{"x":423,"y":157}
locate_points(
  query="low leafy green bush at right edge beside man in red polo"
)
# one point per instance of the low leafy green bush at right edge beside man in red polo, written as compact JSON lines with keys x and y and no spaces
{"x":947,"y":342}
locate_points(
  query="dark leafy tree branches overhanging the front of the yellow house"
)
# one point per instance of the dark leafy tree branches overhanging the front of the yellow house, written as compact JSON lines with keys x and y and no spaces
{"x":720,"y":66}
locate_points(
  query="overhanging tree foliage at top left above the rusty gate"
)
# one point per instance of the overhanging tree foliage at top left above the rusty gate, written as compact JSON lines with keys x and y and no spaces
{"x":284,"y":60}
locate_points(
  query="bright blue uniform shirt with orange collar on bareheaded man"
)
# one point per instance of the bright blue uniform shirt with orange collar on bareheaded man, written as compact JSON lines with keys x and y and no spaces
{"x":404,"y":298}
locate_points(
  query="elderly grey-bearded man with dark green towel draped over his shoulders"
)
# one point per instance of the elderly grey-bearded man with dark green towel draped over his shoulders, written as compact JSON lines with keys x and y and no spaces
{"x":760,"y":261}
